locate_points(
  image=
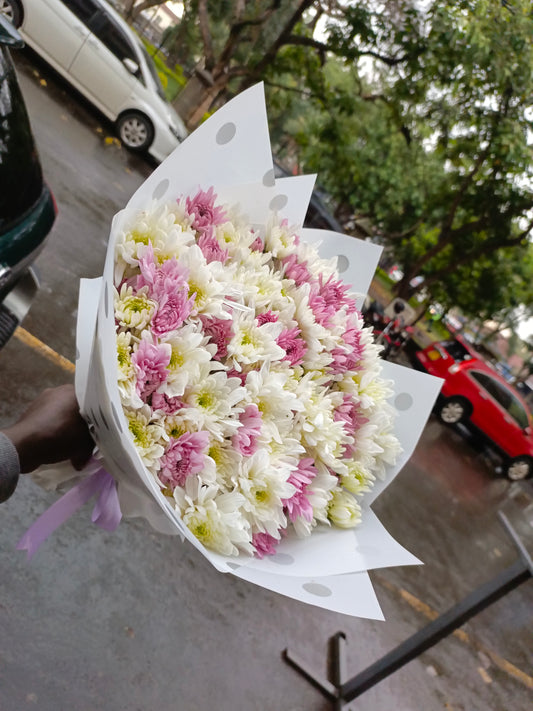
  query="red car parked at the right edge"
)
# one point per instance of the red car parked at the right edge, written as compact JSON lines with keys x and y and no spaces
{"x":475,"y":395}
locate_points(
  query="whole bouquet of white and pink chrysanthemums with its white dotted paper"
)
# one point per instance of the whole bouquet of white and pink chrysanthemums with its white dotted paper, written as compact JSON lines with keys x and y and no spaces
{"x":235,"y":396}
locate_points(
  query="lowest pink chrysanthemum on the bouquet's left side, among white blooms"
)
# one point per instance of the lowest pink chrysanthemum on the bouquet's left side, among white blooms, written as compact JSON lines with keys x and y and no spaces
{"x":183,"y":457}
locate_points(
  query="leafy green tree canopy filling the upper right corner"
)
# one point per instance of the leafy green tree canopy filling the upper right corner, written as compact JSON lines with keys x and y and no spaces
{"x":433,"y":145}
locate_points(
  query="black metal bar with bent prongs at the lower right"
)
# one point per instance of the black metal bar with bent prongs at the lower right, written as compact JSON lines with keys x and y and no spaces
{"x":341,"y":692}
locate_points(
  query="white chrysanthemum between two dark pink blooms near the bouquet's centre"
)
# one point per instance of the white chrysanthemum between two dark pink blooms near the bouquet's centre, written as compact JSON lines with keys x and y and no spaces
{"x":253,"y":344}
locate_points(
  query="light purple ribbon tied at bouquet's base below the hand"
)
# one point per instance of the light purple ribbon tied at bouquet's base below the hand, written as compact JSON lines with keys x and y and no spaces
{"x":106,"y":512}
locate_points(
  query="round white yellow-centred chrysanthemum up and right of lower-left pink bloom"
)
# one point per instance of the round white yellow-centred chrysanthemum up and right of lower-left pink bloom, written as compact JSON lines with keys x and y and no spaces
{"x":214,"y":404}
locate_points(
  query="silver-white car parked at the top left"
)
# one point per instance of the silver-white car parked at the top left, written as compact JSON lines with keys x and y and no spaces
{"x":89,"y":44}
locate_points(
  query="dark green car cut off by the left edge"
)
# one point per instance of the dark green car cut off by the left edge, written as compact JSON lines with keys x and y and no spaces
{"x":27,"y":208}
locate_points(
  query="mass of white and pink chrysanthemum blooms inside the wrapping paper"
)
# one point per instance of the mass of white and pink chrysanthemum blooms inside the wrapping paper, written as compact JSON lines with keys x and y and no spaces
{"x":250,"y":386}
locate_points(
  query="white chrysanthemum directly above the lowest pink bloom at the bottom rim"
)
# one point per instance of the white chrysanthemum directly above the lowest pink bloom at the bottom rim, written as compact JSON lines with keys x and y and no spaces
{"x":265,"y":488}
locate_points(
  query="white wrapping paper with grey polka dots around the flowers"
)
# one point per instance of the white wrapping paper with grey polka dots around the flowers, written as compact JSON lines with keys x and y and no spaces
{"x":231,"y":151}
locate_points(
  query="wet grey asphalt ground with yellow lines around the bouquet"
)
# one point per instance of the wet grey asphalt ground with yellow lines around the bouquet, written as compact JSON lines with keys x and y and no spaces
{"x":134,"y":620}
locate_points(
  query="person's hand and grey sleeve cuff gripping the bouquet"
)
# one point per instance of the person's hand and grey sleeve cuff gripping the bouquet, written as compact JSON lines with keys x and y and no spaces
{"x":50,"y":430}
